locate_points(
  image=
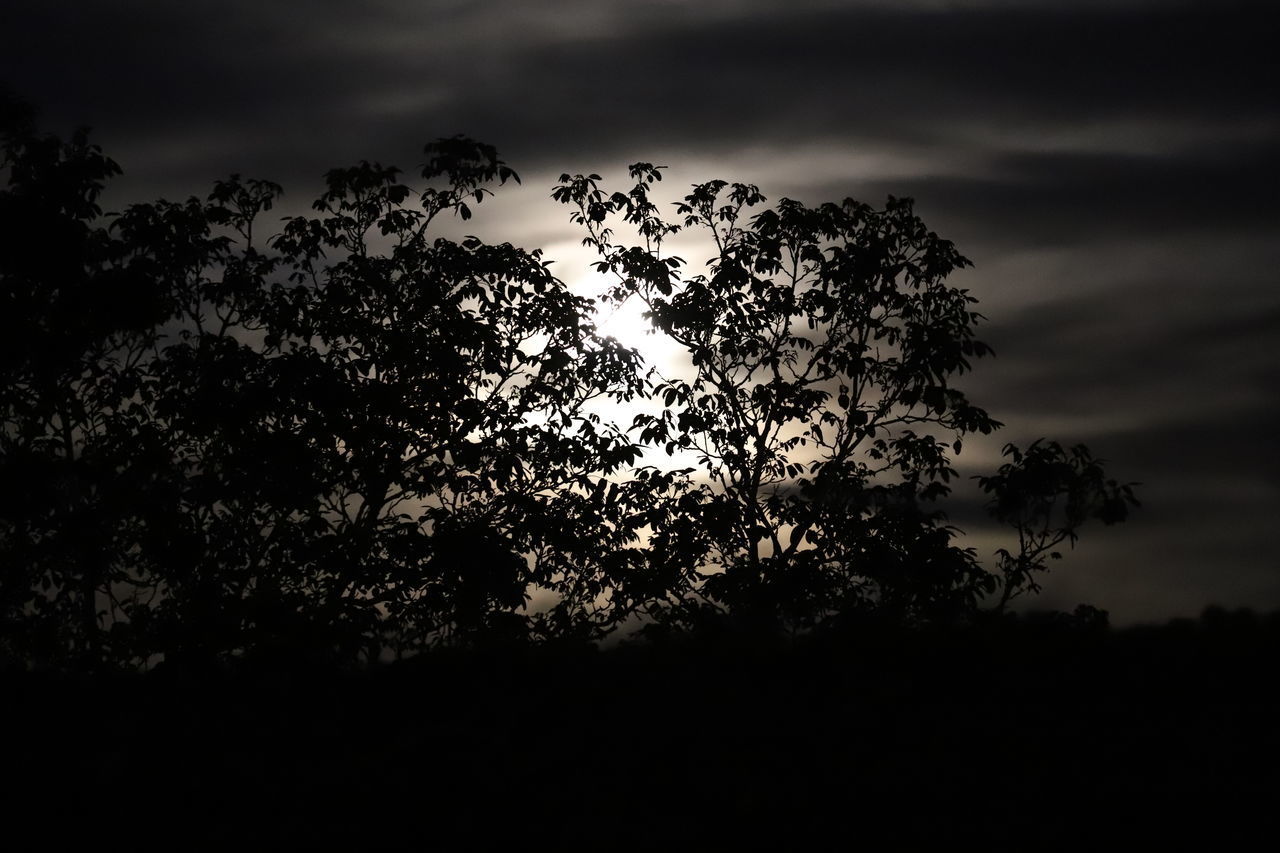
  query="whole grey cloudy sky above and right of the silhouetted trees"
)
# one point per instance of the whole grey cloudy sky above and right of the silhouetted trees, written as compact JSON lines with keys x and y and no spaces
{"x":1109,"y":167}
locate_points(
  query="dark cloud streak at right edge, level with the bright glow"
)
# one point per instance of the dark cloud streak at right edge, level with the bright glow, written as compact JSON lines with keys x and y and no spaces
{"x":1124,"y":354}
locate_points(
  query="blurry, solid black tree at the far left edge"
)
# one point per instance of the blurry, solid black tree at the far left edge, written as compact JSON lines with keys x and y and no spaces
{"x":71,"y":326}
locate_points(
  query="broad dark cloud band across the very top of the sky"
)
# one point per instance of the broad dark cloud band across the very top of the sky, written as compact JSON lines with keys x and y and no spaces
{"x":563,"y":81}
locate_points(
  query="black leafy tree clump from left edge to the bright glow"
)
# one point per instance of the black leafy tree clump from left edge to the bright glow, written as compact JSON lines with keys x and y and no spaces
{"x":359,"y":437}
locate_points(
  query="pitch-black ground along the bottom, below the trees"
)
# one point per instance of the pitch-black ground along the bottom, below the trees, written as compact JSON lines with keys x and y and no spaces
{"x":1028,"y":736}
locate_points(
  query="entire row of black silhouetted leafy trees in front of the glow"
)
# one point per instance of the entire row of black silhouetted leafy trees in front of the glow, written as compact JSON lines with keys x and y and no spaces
{"x":356,"y":439}
